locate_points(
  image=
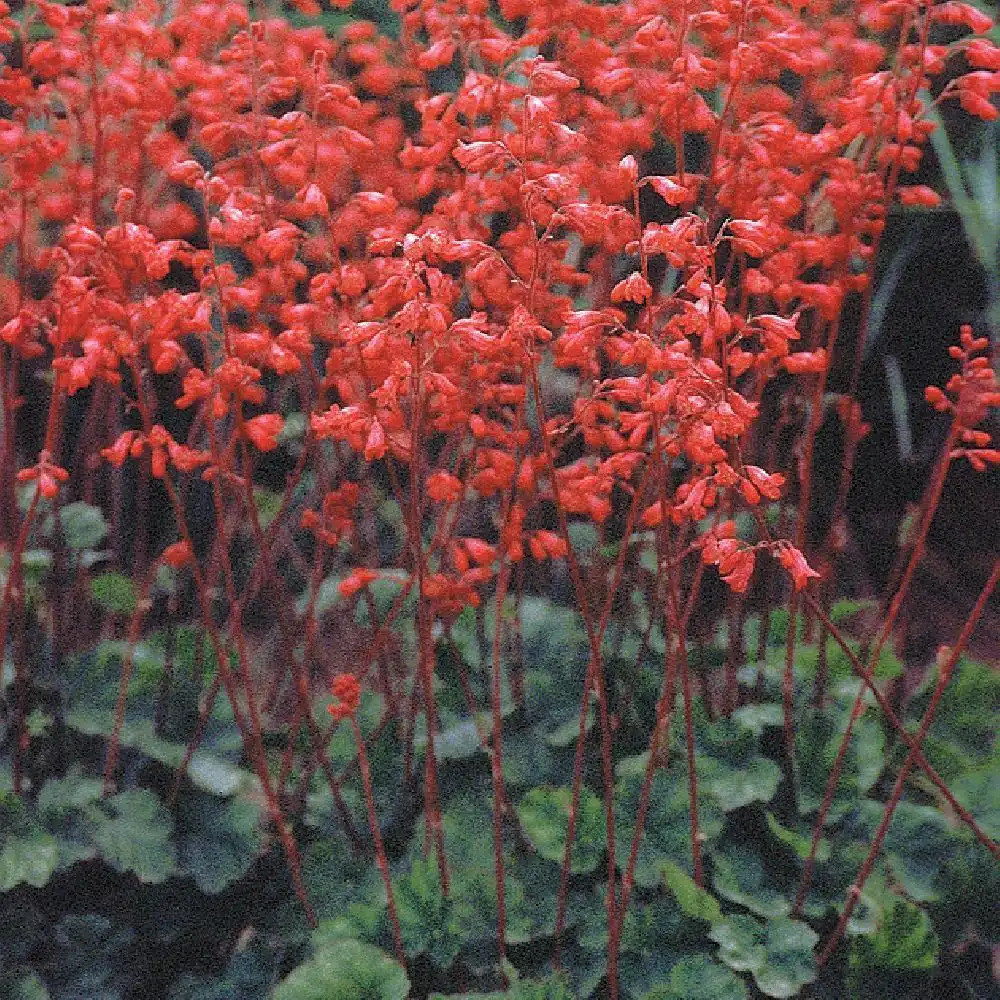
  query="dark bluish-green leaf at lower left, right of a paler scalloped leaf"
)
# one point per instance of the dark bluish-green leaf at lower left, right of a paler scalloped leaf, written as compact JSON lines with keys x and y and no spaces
{"x":218,"y":840}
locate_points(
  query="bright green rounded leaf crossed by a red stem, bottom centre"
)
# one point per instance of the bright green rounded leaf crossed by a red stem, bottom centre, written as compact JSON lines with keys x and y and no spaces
{"x":544,"y":816}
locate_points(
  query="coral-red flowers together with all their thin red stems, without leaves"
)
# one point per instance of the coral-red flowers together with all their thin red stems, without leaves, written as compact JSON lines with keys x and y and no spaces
{"x":524,"y":295}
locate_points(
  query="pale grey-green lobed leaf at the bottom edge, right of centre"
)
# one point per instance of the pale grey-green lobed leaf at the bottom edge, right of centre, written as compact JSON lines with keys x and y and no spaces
{"x":778,"y":954}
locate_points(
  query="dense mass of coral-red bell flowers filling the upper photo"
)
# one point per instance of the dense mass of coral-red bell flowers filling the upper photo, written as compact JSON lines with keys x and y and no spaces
{"x":668,"y":207}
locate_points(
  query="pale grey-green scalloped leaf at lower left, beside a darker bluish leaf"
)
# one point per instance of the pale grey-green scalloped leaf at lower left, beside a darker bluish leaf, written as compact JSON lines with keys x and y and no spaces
{"x":133,"y":834}
